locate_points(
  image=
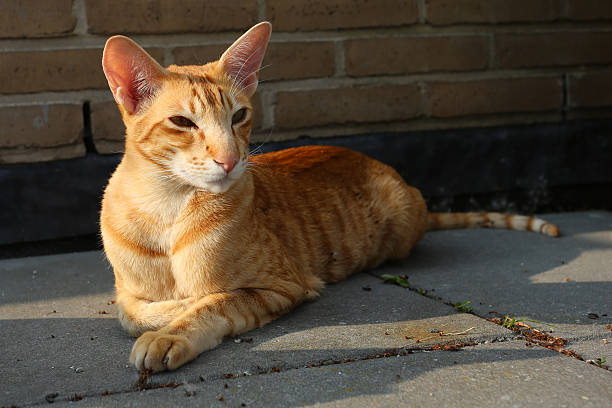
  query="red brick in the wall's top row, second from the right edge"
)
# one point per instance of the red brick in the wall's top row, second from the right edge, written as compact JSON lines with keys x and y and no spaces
{"x":444,"y":12}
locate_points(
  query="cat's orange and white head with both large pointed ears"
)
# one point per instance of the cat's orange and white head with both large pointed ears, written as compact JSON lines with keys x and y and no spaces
{"x":192,"y":122}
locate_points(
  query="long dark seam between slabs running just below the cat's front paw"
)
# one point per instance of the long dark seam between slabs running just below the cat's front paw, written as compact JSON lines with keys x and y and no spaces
{"x":145,"y":381}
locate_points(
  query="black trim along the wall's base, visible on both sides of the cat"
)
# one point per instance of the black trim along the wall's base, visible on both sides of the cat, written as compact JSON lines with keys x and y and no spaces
{"x":535,"y":168}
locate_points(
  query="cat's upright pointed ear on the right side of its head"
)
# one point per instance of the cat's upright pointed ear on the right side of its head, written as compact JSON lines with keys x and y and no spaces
{"x":242,"y":60}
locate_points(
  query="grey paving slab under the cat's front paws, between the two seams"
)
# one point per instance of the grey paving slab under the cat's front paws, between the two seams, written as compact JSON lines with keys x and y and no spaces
{"x":64,"y":338}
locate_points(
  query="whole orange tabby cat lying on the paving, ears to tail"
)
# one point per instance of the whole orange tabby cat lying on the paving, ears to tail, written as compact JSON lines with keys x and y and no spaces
{"x":207,"y":242}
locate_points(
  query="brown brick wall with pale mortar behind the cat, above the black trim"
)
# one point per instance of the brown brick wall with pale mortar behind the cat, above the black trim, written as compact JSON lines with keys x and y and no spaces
{"x":334,"y":67}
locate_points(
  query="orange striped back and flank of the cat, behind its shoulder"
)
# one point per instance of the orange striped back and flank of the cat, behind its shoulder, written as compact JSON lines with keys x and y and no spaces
{"x":335,"y":209}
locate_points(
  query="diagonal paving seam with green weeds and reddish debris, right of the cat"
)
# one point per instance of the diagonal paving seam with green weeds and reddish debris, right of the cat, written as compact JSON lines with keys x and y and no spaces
{"x":531,"y":335}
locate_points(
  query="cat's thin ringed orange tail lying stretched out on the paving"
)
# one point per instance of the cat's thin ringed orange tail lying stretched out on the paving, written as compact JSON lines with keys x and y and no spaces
{"x":439,"y":221}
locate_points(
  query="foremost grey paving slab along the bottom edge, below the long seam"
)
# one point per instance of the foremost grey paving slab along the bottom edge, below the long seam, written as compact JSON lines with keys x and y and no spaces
{"x":496,"y":375}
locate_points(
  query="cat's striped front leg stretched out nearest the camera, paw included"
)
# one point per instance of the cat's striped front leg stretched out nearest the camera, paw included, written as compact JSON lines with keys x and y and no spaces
{"x":204,"y":325}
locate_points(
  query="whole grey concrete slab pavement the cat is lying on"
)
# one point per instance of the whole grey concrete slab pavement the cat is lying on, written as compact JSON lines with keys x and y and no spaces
{"x":63,"y":338}
